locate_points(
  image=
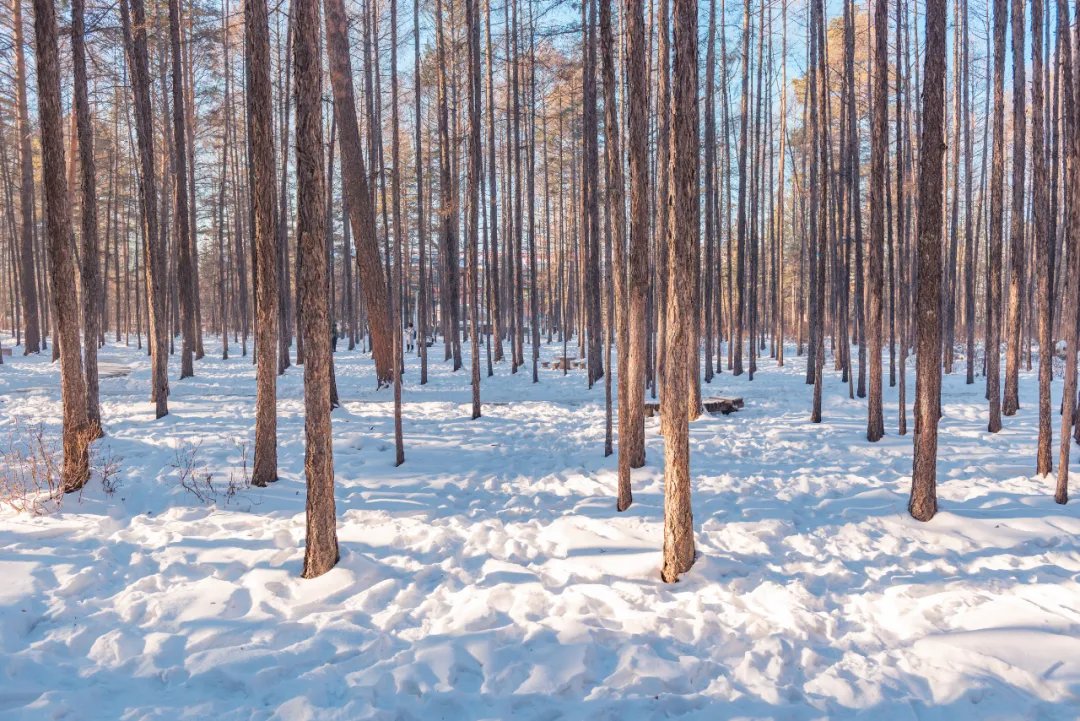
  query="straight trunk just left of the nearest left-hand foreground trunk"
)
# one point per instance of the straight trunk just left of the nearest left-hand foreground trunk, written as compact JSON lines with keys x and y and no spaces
{"x":265,"y":221}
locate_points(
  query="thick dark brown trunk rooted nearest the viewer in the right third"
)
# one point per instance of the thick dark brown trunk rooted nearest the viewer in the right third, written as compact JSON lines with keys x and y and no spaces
{"x":924,"y":501}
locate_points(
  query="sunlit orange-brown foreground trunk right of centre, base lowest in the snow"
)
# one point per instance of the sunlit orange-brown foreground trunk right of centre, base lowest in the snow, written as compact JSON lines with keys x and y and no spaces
{"x":682,"y":316}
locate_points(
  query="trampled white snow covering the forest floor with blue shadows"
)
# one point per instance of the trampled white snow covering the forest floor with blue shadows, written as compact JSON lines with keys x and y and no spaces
{"x":492,"y":578}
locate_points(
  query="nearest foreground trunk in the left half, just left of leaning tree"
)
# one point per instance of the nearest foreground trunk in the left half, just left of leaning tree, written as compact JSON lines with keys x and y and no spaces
{"x":321,"y":550}
